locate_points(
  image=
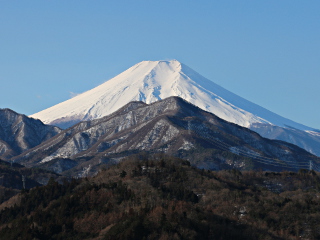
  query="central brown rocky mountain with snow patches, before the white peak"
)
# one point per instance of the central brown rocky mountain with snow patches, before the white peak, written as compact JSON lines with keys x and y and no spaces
{"x":171,"y":126}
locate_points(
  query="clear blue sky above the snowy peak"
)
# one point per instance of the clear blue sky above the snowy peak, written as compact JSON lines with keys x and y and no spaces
{"x":265,"y":51}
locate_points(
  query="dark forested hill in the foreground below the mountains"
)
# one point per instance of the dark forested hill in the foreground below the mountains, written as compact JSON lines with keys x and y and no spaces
{"x":160,"y":197}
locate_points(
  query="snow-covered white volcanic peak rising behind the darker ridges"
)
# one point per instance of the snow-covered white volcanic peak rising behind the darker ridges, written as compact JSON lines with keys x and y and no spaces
{"x":150,"y":81}
